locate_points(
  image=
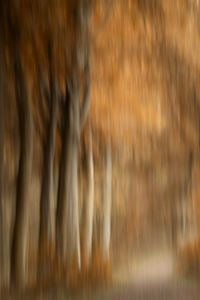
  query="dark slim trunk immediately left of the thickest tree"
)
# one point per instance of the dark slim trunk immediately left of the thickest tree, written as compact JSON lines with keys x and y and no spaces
{"x":47,"y":204}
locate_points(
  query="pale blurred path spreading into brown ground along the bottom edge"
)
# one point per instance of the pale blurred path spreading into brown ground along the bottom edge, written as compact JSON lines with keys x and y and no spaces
{"x":147,"y":276}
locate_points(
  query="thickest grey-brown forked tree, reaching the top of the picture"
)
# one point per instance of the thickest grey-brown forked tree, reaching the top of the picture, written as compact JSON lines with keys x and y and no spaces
{"x":76,"y":113}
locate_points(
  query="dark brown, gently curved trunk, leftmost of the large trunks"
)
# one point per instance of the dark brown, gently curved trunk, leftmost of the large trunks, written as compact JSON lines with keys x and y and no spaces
{"x":19,"y":243}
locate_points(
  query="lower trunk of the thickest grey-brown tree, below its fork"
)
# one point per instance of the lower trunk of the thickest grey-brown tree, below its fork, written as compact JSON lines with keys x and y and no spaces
{"x":67,"y":209}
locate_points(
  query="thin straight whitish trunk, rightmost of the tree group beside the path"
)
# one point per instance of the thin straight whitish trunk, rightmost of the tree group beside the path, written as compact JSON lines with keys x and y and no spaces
{"x":107,"y":204}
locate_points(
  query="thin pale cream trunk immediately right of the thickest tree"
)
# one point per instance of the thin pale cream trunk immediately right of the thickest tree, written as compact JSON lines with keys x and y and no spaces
{"x":88,"y":207}
